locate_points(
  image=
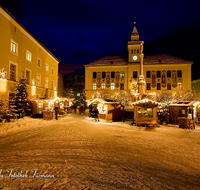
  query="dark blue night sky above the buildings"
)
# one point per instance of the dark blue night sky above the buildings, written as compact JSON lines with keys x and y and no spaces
{"x":82,"y":31}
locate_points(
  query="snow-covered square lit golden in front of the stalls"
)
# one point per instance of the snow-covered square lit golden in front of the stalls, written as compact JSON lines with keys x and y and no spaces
{"x":75,"y":152}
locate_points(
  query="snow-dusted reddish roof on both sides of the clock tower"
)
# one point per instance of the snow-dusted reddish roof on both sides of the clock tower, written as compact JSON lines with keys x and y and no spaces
{"x":148,"y":60}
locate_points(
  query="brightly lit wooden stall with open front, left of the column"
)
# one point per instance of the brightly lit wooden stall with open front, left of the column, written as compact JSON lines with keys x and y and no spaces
{"x":109,"y":110}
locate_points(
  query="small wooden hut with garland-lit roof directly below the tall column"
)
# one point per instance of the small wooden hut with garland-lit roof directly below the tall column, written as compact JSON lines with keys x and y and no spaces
{"x":145,"y":112}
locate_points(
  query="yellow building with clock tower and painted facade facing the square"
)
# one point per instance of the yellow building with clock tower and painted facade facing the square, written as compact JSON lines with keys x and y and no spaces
{"x":157,"y":73}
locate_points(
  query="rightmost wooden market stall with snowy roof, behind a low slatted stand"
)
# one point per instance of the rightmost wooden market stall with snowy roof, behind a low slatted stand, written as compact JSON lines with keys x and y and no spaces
{"x":183,"y":109}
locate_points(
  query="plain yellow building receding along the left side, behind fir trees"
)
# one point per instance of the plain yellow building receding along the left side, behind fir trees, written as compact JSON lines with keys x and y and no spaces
{"x":23,"y":56}
